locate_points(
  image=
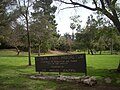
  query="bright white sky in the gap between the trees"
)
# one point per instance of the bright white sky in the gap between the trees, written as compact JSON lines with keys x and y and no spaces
{"x":62,"y":17}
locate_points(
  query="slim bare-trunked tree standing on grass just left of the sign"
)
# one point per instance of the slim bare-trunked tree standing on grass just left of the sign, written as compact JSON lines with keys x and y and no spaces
{"x":24,"y":8}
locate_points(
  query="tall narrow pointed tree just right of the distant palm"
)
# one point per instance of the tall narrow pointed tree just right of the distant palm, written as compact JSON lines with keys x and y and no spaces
{"x":90,"y":33}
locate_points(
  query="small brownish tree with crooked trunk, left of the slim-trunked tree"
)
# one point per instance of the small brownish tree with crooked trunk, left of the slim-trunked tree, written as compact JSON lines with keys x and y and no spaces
{"x":14,"y":36}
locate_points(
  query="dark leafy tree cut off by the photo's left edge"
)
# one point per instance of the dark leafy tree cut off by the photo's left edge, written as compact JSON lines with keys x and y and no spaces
{"x":7,"y":16}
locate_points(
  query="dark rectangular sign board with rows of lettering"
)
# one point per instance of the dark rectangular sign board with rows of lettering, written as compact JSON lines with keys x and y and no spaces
{"x":63,"y":63}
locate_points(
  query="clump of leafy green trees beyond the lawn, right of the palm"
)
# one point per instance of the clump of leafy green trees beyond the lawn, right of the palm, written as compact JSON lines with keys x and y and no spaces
{"x":98,"y":35}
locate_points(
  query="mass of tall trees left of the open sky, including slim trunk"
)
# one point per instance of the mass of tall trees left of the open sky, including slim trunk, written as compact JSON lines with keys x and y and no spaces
{"x":17,"y":24}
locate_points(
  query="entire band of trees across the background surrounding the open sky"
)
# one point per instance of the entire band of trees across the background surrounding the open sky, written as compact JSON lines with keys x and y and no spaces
{"x":35,"y":19}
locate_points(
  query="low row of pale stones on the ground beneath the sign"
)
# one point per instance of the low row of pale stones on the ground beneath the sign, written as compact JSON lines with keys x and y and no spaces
{"x":87,"y":80}
